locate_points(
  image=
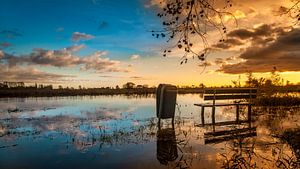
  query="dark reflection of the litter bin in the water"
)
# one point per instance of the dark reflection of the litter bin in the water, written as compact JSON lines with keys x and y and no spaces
{"x":166,"y":146}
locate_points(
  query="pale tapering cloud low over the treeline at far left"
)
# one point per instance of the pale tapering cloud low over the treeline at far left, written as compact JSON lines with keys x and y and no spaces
{"x":28,"y":75}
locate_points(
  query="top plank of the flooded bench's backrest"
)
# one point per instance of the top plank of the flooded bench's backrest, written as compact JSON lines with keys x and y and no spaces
{"x":230,"y":90}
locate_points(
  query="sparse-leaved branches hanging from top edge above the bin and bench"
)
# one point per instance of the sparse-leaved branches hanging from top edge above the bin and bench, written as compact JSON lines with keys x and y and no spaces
{"x":187,"y":21}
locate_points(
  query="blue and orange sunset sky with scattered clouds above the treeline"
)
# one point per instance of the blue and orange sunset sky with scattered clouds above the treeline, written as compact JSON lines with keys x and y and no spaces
{"x":97,"y":43}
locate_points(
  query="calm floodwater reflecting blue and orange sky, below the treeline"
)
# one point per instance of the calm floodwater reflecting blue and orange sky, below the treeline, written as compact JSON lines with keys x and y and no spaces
{"x":121,"y":132}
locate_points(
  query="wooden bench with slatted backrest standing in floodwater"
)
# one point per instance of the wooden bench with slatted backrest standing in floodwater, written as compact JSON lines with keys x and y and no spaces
{"x":228,"y":94}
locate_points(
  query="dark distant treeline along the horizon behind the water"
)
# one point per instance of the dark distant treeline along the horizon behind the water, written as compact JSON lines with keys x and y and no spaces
{"x":49,"y":91}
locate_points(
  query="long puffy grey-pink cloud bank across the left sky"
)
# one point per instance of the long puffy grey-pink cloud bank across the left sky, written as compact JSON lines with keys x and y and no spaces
{"x":65,"y":58}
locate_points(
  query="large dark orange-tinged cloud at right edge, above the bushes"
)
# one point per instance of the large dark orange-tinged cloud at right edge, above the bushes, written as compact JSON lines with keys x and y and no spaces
{"x":283,"y":53}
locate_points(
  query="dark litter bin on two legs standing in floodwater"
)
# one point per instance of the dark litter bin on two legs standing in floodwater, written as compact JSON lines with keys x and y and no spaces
{"x":165,"y":101}
